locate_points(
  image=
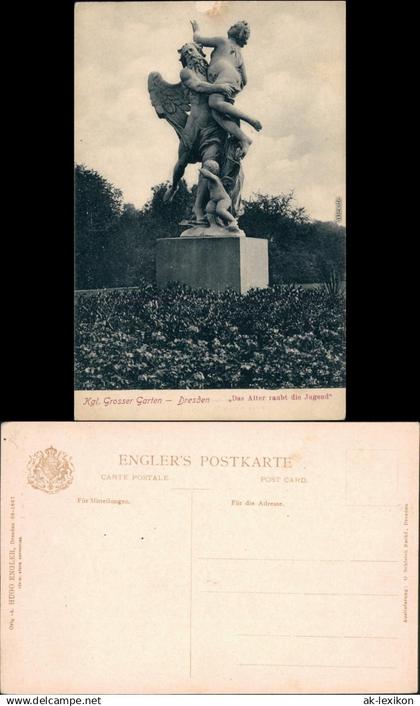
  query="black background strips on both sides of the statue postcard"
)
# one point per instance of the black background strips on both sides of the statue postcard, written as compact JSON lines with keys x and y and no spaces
{"x":37,"y":234}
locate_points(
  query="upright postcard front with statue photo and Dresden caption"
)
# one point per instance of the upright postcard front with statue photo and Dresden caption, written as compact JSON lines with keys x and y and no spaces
{"x":210,"y":210}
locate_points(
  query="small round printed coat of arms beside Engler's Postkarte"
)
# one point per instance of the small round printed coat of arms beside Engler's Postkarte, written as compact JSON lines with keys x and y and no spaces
{"x":50,"y":470}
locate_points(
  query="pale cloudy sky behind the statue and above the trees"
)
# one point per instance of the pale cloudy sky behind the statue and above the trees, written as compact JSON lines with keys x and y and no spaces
{"x":295,"y":61}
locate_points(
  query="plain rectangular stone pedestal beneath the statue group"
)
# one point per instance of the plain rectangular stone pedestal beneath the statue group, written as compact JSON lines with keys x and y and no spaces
{"x":213,"y":262}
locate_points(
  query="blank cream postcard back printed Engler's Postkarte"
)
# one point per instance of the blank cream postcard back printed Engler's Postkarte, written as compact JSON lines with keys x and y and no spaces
{"x":207,"y":557}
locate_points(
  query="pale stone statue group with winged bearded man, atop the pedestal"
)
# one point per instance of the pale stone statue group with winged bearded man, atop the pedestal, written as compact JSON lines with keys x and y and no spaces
{"x":200,"y":109}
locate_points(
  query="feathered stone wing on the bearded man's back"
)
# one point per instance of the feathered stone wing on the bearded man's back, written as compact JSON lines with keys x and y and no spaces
{"x":170,"y":100}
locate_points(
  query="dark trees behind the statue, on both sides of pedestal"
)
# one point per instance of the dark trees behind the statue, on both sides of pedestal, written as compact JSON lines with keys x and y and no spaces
{"x":115,"y":242}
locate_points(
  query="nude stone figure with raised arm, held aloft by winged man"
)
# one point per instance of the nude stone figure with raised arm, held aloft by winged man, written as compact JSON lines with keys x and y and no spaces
{"x":227,"y":67}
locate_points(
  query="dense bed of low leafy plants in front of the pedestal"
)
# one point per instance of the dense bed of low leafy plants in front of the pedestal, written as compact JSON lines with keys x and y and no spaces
{"x":147,"y":338}
